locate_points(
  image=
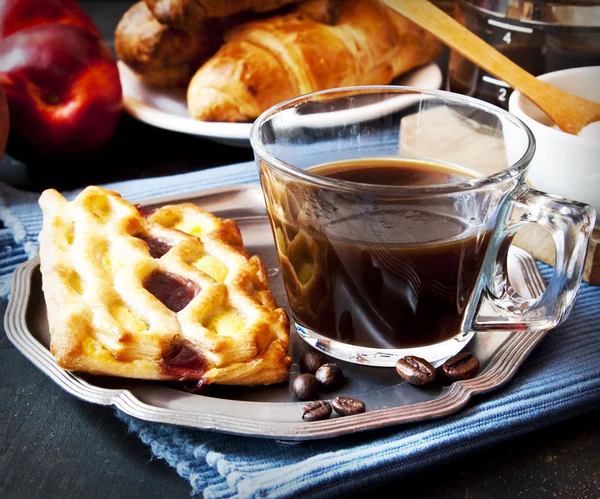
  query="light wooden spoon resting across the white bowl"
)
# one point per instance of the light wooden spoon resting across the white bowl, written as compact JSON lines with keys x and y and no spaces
{"x":569,"y":112}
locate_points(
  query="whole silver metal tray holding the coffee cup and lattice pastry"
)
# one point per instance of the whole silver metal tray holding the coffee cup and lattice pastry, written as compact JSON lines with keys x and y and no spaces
{"x":271,"y":411}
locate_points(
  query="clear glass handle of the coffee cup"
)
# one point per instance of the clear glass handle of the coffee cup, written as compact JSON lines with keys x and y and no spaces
{"x":570,"y":224}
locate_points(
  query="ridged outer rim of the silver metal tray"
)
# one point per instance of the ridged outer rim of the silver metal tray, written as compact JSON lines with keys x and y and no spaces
{"x":510,"y":356}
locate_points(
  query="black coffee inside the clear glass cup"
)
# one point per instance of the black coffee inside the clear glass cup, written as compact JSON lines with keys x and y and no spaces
{"x":391,"y":275}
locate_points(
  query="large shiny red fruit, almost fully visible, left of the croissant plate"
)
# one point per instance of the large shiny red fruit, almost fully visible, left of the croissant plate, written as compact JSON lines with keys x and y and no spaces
{"x":62,"y":86}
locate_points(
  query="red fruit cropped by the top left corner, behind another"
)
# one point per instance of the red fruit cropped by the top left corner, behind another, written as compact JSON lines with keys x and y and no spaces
{"x":16,"y":15}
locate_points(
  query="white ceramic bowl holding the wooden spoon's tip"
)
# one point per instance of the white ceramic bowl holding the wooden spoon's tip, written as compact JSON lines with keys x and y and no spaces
{"x":564,"y":164}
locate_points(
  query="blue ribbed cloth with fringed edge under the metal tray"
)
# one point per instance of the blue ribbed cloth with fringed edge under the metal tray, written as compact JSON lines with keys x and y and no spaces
{"x":559,"y":380}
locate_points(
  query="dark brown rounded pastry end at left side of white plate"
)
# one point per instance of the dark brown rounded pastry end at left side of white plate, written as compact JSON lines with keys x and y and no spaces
{"x":162,"y":56}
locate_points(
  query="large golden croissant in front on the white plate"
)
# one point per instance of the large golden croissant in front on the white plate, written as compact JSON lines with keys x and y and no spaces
{"x":267,"y":61}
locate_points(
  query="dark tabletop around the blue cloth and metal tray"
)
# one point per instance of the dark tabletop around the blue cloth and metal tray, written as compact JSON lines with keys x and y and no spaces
{"x":54,"y":445}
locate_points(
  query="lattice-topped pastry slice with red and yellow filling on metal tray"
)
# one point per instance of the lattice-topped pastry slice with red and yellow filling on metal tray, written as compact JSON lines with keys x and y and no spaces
{"x":169,"y":295}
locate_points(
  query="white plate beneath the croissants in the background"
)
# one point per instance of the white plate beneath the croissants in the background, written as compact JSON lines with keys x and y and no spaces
{"x":167,"y":108}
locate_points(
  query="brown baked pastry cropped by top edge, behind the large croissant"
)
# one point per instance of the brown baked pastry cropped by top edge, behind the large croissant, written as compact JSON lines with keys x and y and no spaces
{"x":190,"y":15}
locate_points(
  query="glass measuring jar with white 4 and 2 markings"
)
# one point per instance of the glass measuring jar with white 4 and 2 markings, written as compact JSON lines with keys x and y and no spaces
{"x":540,"y":36}
